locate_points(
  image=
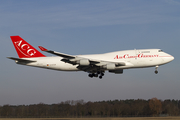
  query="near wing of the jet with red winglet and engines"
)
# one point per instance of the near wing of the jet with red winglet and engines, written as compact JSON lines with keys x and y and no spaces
{"x":84,"y":64}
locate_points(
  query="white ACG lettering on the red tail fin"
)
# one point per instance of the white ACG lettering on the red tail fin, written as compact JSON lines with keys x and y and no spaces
{"x":25,"y":48}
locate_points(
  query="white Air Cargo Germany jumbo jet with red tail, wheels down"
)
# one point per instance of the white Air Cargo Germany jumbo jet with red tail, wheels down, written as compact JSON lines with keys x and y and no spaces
{"x":94,"y":64}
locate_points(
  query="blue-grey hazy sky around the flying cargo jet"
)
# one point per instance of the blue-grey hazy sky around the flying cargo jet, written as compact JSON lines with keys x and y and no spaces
{"x":88,"y":27}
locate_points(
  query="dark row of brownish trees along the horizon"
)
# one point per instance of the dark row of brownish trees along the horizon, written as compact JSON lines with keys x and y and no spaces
{"x":79,"y":108}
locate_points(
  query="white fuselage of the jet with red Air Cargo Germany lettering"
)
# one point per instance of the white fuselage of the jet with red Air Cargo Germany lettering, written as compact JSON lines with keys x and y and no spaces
{"x":132,"y":59}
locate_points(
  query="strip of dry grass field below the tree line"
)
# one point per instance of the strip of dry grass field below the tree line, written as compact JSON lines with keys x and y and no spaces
{"x":124,"y":118}
